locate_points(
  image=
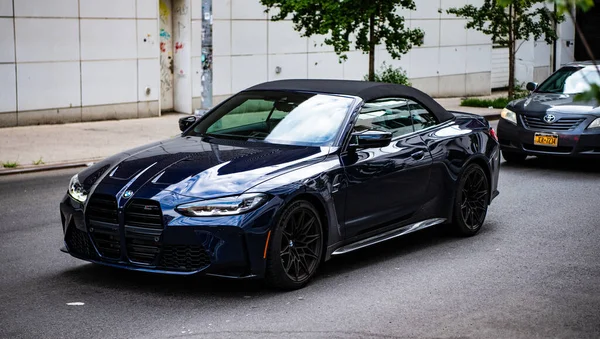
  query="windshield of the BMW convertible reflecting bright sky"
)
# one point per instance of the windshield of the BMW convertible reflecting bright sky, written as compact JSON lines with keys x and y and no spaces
{"x":290,"y":118}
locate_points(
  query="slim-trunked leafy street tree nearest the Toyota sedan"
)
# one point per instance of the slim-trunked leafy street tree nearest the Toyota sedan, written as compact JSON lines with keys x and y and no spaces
{"x":507,"y":21}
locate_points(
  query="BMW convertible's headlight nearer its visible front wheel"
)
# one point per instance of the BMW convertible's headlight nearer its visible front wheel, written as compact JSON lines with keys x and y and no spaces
{"x":223,"y":206}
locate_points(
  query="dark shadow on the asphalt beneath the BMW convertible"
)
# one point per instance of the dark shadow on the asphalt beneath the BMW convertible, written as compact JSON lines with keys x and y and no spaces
{"x":98,"y":276}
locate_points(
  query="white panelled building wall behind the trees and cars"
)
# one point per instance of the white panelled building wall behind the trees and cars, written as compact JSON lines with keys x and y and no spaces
{"x":82,"y":60}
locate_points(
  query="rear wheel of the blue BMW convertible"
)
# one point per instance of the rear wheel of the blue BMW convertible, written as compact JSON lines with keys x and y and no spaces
{"x":471,"y":201}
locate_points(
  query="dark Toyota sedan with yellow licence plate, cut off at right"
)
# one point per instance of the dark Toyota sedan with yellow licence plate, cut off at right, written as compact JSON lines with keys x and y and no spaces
{"x":550,"y":122}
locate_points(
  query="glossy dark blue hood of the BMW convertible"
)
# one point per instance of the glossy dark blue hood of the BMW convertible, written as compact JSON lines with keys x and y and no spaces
{"x":197,"y":167}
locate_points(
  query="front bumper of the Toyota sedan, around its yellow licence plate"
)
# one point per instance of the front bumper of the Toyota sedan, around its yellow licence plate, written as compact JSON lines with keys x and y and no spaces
{"x":577,"y":143}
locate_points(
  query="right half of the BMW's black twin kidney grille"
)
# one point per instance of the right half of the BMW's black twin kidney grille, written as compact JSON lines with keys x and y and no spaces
{"x":143,"y":230}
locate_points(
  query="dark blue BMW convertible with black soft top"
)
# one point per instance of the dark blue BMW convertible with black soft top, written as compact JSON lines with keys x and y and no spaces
{"x":281,"y":177}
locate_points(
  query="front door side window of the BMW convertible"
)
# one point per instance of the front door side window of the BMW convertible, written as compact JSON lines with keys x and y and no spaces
{"x":388,"y":114}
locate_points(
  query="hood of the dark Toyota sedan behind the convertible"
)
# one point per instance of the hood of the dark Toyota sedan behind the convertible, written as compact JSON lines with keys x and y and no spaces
{"x":541,"y":103}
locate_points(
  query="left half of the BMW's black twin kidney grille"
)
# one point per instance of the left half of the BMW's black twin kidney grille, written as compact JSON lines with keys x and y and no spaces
{"x":103,"y":225}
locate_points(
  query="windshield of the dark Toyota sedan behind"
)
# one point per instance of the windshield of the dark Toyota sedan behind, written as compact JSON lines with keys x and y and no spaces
{"x":570,"y":80}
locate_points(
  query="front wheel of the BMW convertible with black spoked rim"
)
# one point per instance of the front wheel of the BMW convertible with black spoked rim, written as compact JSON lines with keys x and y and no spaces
{"x":296,"y":247}
